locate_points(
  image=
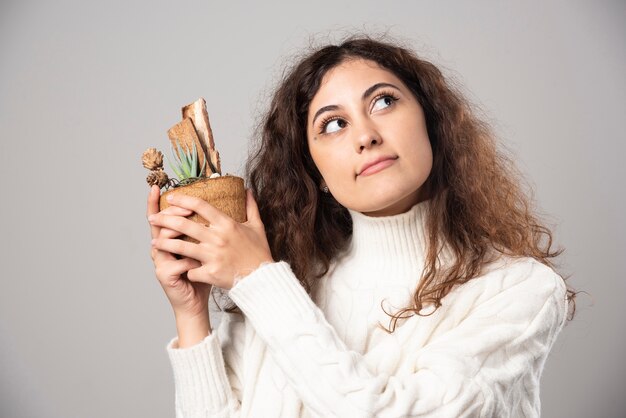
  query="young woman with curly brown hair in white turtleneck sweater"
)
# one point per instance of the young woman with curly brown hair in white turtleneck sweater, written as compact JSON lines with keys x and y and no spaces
{"x":382,"y":199}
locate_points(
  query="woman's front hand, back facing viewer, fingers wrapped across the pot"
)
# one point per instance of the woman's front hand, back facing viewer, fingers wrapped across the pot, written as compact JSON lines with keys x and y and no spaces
{"x":226,"y":248}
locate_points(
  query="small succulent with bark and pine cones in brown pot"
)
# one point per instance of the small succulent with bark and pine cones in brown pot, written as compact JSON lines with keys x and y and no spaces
{"x":197,"y":166}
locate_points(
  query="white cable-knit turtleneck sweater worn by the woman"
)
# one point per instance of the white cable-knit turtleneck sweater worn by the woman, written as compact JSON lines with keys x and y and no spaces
{"x":480,"y":354}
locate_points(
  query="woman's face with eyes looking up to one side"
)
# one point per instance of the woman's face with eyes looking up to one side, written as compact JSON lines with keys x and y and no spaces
{"x":362,"y":114}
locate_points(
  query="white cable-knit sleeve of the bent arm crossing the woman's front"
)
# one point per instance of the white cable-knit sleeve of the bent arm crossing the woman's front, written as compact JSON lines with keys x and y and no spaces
{"x":477,"y":368}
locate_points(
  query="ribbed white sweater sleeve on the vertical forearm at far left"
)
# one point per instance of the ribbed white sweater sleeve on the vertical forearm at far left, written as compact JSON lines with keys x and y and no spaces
{"x":208,"y":375}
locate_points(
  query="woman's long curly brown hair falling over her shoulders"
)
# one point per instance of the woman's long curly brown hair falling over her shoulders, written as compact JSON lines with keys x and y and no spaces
{"x":478,"y":206}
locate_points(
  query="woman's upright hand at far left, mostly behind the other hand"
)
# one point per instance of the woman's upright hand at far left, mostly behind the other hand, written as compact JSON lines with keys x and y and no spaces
{"x":188,"y":299}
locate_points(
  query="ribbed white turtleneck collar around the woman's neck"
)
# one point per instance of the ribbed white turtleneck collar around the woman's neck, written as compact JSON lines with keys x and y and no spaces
{"x":393,"y":243}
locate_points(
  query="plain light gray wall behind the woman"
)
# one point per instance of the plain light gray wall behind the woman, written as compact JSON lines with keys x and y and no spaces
{"x":86,"y":86}
